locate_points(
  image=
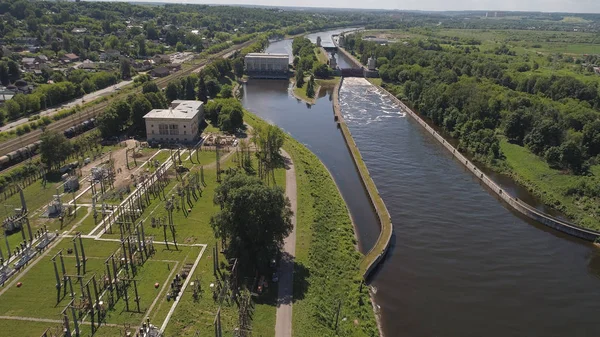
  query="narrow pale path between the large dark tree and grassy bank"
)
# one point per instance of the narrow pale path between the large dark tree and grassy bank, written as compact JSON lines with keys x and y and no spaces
{"x":283,"y":323}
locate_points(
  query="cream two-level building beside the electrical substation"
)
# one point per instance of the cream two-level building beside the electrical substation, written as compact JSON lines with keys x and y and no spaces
{"x":178,"y":124}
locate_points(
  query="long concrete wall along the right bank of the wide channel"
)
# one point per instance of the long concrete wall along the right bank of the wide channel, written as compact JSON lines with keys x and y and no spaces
{"x":515,"y":203}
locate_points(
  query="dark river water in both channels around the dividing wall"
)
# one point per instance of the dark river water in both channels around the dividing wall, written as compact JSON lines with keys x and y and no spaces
{"x":461,"y":264}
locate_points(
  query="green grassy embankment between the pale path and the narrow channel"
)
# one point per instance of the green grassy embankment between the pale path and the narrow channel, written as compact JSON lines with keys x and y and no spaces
{"x":327,"y":262}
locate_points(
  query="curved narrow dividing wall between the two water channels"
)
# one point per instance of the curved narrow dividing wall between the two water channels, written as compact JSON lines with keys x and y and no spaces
{"x":377,"y":253}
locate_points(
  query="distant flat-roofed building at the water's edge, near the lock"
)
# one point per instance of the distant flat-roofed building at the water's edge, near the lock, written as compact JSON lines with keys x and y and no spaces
{"x":267,"y":65}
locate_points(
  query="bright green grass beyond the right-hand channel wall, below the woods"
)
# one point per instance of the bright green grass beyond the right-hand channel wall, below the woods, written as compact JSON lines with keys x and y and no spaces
{"x":552,"y":185}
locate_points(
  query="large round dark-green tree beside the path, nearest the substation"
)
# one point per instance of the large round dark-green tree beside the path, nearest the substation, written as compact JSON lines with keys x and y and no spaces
{"x":254,"y":219}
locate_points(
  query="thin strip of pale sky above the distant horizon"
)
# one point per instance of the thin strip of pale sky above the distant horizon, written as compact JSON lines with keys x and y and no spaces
{"x":571,"y":6}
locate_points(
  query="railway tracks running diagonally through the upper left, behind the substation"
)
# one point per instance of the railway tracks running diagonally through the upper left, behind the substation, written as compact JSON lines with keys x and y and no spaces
{"x":91,"y":112}
